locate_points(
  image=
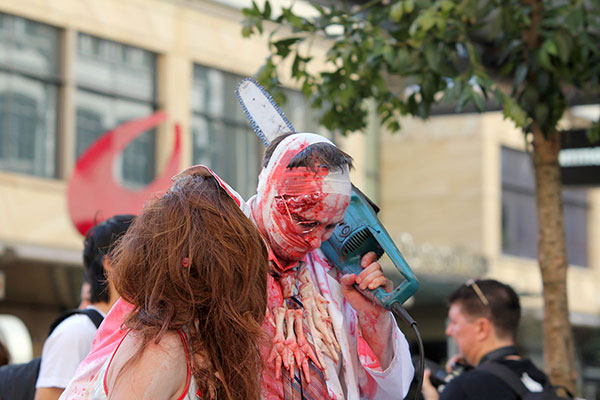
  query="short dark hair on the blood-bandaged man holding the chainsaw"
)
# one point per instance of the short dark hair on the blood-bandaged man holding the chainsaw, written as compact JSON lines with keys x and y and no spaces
{"x":313,"y":157}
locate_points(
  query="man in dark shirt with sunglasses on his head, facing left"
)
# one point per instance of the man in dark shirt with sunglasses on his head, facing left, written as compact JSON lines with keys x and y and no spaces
{"x":483,"y":320}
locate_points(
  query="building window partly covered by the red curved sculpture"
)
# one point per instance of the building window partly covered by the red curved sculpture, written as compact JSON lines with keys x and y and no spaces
{"x":116,"y":84}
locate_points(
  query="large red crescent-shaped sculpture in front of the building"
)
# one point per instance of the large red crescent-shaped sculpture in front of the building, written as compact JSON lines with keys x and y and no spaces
{"x":93,"y":195}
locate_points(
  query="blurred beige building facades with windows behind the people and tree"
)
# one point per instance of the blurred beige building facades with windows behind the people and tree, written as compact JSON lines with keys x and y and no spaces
{"x":456,"y":192}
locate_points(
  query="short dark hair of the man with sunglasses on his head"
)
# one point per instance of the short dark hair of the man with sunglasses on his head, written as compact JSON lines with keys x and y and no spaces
{"x":503,"y":308}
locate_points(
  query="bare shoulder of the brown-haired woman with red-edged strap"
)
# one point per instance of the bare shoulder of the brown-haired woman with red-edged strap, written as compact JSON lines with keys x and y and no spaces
{"x":160,"y":371}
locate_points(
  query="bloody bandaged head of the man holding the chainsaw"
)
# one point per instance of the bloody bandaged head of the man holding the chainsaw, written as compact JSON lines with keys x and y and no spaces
{"x":298,"y":209}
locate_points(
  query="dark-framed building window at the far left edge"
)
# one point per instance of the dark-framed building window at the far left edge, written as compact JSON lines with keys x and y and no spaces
{"x":29,"y":82}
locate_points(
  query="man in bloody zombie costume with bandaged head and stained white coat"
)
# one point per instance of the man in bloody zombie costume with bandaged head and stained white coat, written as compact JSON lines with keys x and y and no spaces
{"x":322,"y":347}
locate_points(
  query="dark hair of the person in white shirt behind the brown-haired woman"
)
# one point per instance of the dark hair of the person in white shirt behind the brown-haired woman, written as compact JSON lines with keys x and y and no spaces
{"x":99,"y":241}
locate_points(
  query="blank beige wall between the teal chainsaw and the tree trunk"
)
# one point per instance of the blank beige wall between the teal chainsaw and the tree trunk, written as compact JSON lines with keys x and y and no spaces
{"x":430,"y":181}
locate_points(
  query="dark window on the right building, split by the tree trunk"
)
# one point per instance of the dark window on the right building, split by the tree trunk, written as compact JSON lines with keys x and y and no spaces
{"x":519,"y":213}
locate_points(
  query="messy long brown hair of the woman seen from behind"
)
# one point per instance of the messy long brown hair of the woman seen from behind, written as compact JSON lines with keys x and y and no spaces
{"x":193,"y":261}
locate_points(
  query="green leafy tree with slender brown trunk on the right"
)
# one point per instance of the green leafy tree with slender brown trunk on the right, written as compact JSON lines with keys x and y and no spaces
{"x":527,"y":56}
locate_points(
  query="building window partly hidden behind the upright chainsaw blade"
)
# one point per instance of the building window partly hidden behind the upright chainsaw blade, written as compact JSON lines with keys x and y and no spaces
{"x":221,"y":135}
